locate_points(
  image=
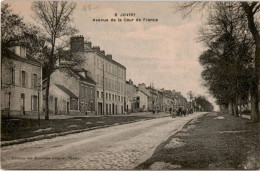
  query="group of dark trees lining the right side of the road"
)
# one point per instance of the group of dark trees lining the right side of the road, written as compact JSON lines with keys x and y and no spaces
{"x":231,"y":61}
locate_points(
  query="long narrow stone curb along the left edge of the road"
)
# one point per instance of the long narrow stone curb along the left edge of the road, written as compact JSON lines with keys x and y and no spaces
{"x":48,"y":136}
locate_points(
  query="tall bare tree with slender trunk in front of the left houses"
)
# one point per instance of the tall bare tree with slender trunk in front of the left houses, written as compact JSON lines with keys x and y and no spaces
{"x":55,"y":20}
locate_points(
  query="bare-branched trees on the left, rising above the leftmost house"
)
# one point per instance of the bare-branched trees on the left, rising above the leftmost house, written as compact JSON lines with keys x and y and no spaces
{"x":47,"y":40}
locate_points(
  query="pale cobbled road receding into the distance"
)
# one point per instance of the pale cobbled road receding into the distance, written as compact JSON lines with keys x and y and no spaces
{"x":117,"y":147}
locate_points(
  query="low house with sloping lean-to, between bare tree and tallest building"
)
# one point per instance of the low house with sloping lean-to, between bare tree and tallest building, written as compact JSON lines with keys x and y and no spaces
{"x":71,"y":94}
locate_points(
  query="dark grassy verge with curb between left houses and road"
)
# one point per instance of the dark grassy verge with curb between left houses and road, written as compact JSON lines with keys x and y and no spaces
{"x":16,"y":131}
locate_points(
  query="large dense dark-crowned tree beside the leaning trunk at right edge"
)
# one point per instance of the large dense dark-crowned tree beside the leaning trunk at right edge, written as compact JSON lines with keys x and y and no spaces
{"x":228,"y":62}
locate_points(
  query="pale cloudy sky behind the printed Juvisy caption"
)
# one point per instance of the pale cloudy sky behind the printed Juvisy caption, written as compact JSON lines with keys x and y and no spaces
{"x":164,"y":53}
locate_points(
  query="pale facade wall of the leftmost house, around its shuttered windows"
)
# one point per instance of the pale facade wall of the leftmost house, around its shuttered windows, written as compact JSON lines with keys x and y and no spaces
{"x":17,"y":89}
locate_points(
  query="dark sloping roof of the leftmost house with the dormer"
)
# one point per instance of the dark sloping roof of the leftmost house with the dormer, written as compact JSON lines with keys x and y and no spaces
{"x":29,"y":59}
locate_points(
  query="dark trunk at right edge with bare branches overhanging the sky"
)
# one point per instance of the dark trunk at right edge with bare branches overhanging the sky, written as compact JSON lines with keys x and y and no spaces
{"x":250,"y":9}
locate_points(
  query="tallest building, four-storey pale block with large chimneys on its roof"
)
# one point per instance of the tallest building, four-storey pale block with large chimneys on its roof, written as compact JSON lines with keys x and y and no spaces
{"x":109,"y":75}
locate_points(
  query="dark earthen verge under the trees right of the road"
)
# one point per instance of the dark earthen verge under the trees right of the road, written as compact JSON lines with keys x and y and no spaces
{"x":212,"y":142}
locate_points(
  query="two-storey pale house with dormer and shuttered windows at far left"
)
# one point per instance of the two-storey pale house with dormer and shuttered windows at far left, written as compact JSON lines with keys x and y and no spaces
{"x":21,"y":83}
